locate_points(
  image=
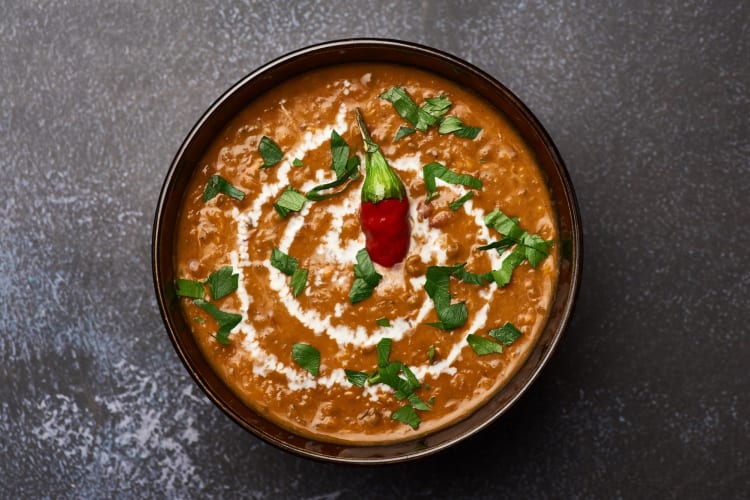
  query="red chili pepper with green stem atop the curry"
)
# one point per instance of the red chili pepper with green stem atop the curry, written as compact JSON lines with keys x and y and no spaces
{"x":384,"y":213}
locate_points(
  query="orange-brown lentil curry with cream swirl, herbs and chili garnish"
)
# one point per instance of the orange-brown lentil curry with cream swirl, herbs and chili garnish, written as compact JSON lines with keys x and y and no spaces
{"x":298,"y":311}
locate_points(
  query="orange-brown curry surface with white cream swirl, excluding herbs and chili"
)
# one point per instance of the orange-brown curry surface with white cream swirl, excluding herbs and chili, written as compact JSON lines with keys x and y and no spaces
{"x":299,"y":116}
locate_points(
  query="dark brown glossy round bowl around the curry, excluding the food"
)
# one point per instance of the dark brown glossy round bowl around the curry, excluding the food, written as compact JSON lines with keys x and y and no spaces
{"x":349,"y":51}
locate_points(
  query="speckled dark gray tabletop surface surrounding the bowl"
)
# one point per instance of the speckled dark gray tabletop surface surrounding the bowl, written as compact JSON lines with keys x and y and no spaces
{"x":648,"y":395}
